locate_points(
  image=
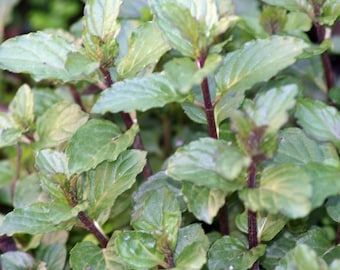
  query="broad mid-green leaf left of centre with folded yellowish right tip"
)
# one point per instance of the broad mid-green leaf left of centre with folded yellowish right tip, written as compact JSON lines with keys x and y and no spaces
{"x":96,"y":141}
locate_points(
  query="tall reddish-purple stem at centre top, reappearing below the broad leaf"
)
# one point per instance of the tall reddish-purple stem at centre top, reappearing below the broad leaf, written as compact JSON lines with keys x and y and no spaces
{"x":209,"y":112}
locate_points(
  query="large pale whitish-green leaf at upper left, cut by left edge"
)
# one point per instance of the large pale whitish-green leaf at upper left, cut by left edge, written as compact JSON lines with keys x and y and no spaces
{"x":43,"y":55}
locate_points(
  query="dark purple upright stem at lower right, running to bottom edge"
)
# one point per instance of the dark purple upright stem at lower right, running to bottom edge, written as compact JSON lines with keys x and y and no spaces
{"x":252,"y":223}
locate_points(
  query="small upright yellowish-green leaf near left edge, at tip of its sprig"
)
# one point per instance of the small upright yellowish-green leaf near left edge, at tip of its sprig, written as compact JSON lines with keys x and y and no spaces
{"x":21,"y":107}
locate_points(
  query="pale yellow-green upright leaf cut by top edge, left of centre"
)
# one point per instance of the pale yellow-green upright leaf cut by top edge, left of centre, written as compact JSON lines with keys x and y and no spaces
{"x":101,"y":18}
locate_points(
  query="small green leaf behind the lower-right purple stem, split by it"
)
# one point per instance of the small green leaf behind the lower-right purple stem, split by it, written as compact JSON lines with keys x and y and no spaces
{"x":268,"y":225}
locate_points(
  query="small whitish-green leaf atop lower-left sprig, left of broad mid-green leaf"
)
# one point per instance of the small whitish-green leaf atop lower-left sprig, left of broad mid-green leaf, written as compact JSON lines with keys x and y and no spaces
{"x":50,"y":162}
